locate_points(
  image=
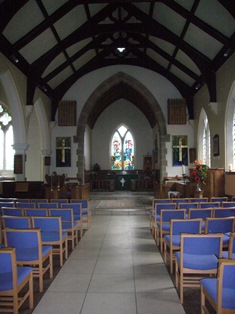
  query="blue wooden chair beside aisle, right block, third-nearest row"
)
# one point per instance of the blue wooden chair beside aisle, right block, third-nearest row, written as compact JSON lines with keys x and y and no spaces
{"x":172,"y":240}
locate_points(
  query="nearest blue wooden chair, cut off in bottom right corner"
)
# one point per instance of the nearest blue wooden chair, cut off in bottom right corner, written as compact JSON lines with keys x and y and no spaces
{"x":220,"y":291}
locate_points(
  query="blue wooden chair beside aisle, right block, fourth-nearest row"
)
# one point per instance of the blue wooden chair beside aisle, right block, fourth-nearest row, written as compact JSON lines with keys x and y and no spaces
{"x":163,"y":226}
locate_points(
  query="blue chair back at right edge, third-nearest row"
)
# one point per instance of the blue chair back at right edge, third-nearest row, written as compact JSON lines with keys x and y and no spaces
{"x":216,"y":225}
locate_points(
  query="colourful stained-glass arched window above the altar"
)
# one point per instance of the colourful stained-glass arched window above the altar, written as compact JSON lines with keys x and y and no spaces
{"x":122,"y":150}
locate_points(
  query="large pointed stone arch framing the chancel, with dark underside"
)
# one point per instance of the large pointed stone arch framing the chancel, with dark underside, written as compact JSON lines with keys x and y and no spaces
{"x":121,"y":85}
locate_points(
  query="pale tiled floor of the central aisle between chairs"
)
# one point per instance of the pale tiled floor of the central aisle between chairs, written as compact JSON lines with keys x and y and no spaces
{"x":115,"y":269}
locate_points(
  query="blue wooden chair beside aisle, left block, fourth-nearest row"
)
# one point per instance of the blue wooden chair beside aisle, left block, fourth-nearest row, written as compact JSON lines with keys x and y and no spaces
{"x":68,"y":223}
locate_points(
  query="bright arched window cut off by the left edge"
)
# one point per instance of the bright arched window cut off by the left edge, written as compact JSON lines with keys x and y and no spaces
{"x":6,"y":142}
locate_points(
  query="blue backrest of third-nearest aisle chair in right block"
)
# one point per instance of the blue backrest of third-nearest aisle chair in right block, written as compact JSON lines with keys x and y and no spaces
{"x":186,"y":226}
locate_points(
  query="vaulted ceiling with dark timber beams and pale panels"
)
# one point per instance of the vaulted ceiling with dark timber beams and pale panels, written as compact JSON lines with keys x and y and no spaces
{"x":56,"y":42}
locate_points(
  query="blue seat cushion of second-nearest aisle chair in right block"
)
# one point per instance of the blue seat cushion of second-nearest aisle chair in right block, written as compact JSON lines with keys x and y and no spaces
{"x":199,"y":262}
